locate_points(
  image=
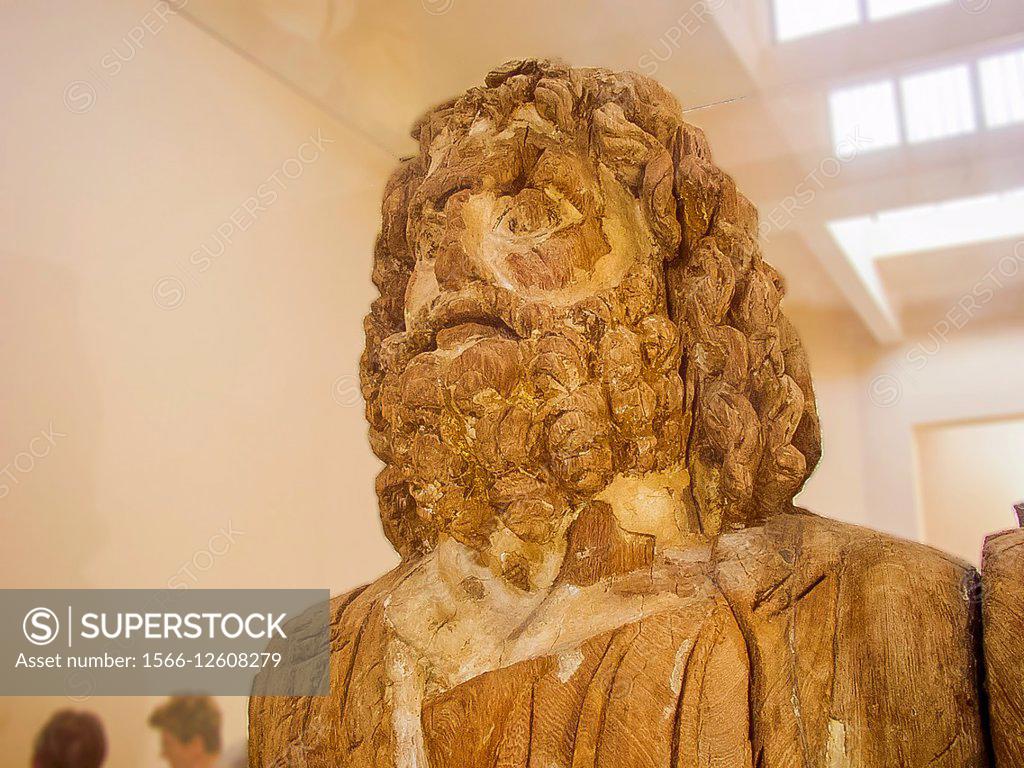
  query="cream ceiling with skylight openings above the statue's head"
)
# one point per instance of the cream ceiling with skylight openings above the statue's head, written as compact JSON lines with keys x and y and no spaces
{"x":377,"y":66}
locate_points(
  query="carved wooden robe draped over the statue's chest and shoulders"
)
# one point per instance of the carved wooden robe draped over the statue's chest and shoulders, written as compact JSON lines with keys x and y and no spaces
{"x":852,"y":653}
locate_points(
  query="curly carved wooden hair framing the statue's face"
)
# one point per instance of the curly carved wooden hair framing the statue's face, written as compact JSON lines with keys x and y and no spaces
{"x":754,"y":436}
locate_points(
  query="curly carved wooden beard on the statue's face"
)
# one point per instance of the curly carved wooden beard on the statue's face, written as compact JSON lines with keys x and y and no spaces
{"x":489,"y":430}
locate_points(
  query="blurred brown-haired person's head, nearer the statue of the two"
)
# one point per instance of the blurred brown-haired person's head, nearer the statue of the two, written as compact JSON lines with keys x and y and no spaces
{"x":190,"y":731}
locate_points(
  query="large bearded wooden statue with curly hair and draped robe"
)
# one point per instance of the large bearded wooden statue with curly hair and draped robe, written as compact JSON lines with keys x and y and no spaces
{"x":594,"y":419}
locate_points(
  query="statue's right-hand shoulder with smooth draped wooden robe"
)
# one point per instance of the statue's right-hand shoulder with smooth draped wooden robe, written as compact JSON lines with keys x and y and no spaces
{"x":886,"y":632}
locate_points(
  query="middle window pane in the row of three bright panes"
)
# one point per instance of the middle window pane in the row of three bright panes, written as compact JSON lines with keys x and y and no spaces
{"x":937,"y":104}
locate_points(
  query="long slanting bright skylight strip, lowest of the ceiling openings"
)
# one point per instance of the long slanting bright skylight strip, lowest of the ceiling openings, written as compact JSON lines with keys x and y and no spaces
{"x":955,"y":223}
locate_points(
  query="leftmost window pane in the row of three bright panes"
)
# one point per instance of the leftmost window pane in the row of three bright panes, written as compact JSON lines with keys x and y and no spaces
{"x":866,"y":115}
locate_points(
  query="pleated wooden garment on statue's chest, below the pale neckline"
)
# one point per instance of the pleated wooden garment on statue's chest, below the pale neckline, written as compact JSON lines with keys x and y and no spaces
{"x":663,"y":692}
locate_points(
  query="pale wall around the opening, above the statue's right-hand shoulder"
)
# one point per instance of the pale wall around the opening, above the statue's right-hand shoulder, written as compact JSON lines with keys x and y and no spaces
{"x":873,"y":400}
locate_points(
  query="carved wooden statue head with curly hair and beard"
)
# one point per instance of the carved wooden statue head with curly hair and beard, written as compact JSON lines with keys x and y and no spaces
{"x":571,"y":293}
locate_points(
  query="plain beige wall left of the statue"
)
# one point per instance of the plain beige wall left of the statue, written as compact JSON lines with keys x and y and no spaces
{"x":155,"y":399}
